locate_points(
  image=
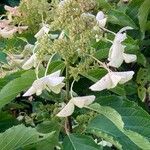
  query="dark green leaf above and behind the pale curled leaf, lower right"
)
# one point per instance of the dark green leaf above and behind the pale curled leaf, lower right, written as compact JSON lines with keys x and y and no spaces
{"x":133,"y":116}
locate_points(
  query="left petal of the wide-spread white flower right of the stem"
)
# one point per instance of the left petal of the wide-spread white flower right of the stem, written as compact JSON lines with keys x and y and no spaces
{"x":104,"y":83}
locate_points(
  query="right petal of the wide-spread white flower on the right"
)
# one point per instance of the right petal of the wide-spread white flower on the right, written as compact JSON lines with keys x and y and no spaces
{"x":125,"y":76}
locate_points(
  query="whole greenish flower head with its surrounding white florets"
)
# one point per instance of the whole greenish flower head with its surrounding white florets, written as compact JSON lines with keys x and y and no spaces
{"x":73,"y":44}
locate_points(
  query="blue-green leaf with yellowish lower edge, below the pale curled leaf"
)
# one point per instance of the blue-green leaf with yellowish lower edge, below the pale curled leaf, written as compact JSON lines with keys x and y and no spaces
{"x":102,"y":127}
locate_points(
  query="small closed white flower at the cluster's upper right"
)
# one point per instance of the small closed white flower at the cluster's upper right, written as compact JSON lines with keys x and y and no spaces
{"x":101,"y":19}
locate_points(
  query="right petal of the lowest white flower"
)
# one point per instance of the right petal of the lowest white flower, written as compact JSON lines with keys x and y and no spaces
{"x":83,"y":101}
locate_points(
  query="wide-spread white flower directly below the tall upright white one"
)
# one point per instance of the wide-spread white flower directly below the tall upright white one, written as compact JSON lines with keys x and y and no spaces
{"x":111,"y":80}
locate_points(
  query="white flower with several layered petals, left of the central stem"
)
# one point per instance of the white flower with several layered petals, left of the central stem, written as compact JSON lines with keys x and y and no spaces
{"x":52,"y":82}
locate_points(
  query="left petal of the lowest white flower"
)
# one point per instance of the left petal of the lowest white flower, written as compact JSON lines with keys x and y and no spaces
{"x":67,"y":110}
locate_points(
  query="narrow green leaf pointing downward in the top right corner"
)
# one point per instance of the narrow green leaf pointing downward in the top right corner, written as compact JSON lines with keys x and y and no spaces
{"x":143,"y":15}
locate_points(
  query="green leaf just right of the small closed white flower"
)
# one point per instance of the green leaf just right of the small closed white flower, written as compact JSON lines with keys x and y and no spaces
{"x":117,"y":17}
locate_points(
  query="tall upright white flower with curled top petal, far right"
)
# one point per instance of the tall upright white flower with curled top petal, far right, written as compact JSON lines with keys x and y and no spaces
{"x":116,"y":53}
